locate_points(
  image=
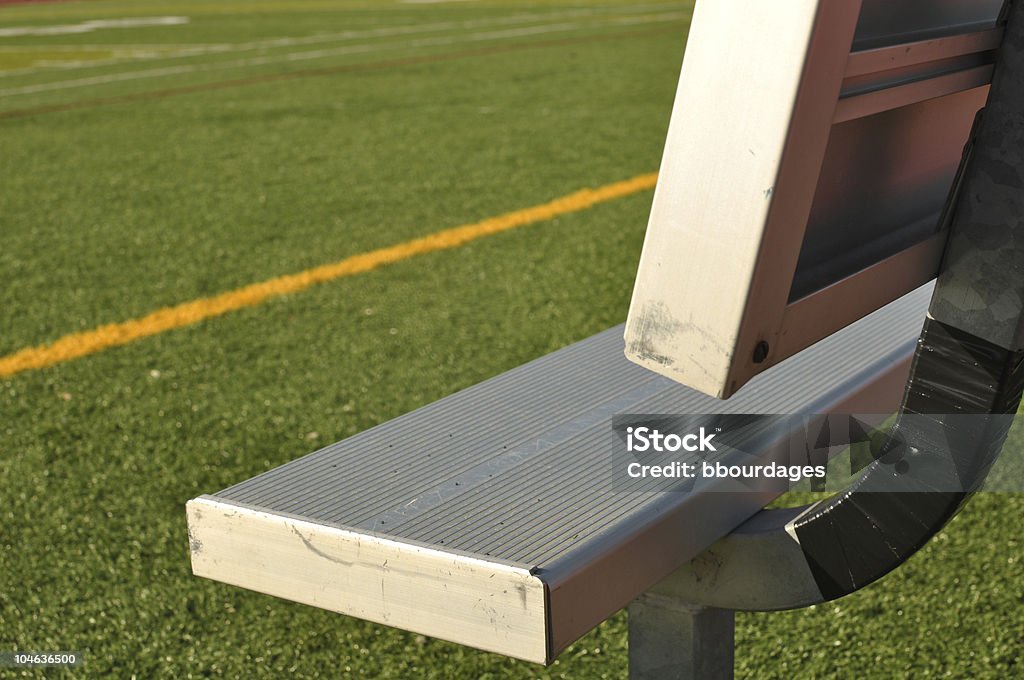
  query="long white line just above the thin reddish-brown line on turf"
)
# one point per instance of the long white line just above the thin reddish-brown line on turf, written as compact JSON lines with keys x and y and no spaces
{"x":336,"y":52}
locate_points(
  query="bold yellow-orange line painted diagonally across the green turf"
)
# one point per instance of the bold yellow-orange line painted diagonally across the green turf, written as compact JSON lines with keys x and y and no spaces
{"x":89,"y":343}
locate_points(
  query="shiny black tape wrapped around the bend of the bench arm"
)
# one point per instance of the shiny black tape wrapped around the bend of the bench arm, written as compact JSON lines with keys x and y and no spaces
{"x":960,"y":403}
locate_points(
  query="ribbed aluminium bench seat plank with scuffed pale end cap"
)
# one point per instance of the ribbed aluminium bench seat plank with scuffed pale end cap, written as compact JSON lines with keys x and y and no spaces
{"x":490,"y":518}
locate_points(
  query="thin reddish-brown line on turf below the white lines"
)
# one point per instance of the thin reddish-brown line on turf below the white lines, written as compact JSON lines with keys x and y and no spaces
{"x":325,"y":71}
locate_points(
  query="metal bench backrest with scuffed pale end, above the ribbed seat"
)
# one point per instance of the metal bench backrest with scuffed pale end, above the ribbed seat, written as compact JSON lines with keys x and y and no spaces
{"x":804,"y":181}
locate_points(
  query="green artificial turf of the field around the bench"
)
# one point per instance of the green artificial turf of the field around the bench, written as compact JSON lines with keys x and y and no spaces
{"x":112,"y":209}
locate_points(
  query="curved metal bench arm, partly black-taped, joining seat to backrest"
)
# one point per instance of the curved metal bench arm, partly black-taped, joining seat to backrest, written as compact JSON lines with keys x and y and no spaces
{"x":965,"y":389}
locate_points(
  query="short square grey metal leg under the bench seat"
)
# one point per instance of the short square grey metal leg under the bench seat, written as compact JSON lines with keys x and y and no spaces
{"x":674,"y":641}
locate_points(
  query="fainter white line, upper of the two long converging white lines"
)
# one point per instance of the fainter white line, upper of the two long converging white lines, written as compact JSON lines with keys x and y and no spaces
{"x":227,"y":49}
